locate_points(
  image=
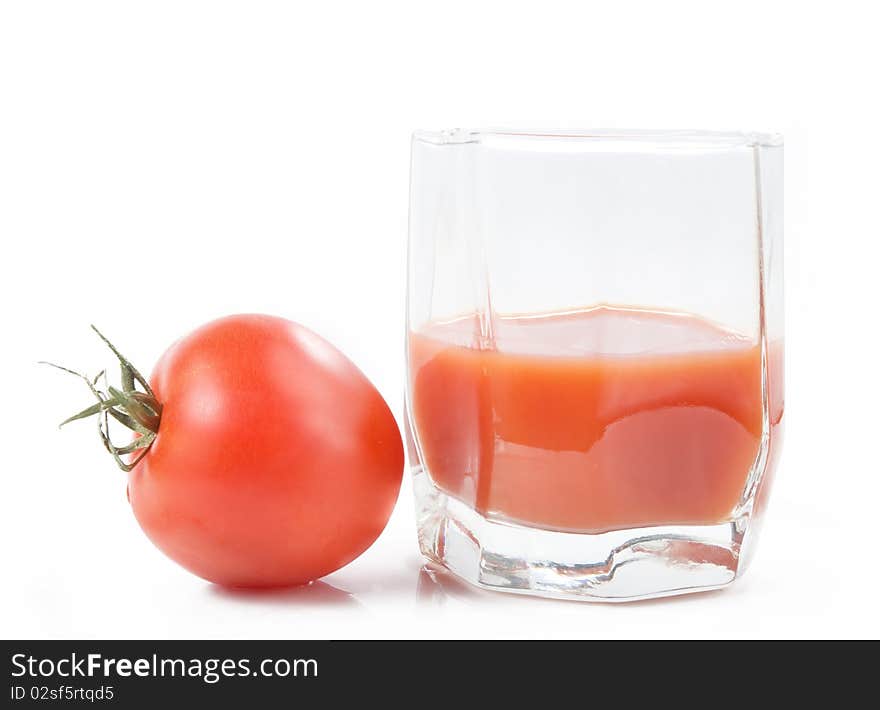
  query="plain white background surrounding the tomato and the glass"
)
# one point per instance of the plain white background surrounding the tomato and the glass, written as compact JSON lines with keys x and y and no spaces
{"x":165,"y":163}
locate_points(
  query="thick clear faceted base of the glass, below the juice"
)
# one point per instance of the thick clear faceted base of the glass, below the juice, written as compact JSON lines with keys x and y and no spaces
{"x":622,"y":565}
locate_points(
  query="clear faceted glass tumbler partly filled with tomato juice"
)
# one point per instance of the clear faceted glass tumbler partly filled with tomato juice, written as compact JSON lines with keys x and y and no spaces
{"x":594,"y":349}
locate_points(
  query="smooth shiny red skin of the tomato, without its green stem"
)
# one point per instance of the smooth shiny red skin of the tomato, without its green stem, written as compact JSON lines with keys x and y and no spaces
{"x":276,"y":462}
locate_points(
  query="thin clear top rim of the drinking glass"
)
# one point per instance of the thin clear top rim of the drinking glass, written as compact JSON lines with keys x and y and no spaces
{"x":664,"y":138}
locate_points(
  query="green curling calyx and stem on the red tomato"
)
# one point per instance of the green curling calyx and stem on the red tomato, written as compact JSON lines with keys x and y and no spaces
{"x":136,"y":410}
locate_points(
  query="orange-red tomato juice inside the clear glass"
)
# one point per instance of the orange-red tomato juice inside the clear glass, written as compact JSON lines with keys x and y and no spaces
{"x":589,"y":420}
